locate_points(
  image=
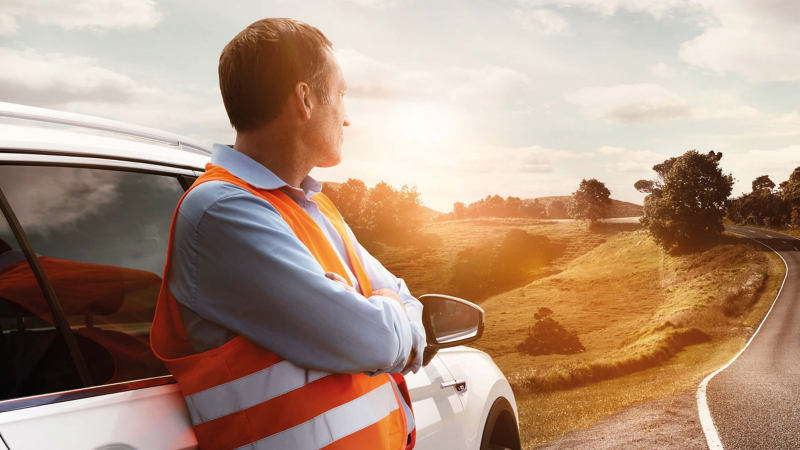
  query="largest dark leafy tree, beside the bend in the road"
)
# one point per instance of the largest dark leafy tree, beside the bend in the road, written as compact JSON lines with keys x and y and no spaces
{"x":689,"y":204}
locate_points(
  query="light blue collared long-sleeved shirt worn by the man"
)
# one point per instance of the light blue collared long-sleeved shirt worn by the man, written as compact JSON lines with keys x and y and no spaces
{"x":238,"y":269}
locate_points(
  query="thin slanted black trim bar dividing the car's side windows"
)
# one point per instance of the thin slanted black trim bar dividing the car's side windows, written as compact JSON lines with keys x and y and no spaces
{"x":61,"y":323}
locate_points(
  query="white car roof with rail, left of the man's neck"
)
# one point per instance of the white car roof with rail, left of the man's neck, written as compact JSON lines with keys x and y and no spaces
{"x":87,"y":136}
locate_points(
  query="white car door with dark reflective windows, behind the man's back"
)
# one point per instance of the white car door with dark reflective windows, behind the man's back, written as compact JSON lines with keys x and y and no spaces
{"x":96,"y":243}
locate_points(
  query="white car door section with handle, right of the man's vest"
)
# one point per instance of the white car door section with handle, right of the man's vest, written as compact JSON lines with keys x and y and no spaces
{"x":438,"y":410}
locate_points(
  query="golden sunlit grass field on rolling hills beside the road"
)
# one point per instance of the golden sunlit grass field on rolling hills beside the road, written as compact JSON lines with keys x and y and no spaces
{"x":634,"y":309}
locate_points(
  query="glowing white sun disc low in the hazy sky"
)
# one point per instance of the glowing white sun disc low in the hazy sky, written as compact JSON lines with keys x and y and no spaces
{"x":424,"y":124}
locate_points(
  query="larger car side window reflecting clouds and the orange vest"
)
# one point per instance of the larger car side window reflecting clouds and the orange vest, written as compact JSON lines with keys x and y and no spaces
{"x":101,"y":237}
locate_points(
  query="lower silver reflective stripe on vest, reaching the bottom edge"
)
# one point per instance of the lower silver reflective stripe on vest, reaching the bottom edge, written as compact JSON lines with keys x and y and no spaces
{"x":333,"y":425}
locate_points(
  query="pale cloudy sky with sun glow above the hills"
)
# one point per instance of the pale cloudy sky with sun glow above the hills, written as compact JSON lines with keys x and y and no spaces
{"x":462,"y":98}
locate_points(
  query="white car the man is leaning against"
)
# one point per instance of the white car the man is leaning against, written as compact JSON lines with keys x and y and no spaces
{"x":86,"y":206}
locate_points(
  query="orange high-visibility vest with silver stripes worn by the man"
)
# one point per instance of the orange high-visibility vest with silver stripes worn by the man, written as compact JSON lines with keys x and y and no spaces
{"x":244,"y":396}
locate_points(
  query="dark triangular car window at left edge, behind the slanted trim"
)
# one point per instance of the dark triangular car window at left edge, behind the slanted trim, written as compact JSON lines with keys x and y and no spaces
{"x":33,"y":354}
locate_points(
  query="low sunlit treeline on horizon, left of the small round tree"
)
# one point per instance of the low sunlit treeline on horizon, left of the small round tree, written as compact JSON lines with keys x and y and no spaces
{"x":496,"y":206}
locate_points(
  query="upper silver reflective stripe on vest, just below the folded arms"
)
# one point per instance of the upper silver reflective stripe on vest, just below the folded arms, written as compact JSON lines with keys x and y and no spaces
{"x":248,"y":391}
